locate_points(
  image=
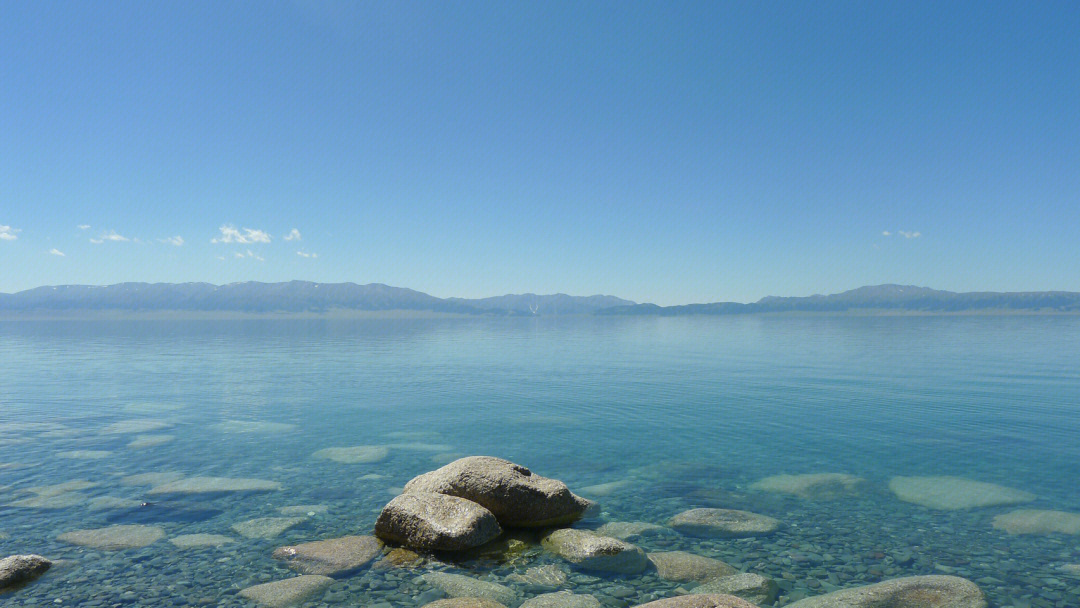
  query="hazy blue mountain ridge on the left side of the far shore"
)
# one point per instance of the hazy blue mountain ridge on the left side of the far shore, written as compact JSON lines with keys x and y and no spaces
{"x":294,"y":296}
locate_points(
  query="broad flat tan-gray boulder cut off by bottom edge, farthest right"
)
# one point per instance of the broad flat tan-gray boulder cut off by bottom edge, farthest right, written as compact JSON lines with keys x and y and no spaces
{"x":910,"y":592}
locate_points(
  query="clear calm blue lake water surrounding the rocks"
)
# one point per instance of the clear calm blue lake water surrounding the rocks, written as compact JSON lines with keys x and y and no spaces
{"x":685,"y":412}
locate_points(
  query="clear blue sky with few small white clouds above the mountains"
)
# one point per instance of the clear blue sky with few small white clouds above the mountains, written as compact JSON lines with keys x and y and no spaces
{"x":663,"y":152}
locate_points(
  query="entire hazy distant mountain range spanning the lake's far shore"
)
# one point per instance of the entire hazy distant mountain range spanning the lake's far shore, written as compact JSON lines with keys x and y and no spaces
{"x":319,"y":299}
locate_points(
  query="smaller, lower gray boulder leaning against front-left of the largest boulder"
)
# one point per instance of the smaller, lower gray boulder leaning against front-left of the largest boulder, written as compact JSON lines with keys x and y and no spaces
{"x":436,"y":522}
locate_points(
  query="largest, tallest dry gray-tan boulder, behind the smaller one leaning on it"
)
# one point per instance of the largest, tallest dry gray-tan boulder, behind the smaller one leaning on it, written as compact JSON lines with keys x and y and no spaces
{"x":518,"y":497}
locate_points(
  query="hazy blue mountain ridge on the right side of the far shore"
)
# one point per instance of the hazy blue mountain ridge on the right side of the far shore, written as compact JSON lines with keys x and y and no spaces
{"x":907,"y":299}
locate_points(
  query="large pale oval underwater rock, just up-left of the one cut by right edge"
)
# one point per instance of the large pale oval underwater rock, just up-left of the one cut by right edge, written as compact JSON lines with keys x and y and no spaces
{"x":951,"y":494}
